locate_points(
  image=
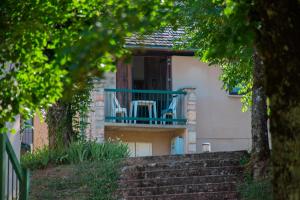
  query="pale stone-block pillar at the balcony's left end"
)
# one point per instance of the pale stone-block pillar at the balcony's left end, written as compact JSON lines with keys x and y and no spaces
{"x":96,"y":120}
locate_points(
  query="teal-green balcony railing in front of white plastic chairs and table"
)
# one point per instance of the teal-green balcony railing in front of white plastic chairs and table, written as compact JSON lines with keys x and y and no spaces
{"x":145,"y":106}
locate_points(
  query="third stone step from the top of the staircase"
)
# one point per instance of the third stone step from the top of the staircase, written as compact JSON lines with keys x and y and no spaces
{"x":201,"y":171}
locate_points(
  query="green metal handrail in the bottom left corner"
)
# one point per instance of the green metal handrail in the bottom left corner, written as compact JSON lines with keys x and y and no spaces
{"x":22,"y":173}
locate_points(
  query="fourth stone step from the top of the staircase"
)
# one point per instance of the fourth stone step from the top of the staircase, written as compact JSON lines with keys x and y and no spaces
{"x":178,"y":181}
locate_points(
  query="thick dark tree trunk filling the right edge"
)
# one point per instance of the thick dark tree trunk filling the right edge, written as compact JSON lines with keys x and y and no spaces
{"x":279,"y":47}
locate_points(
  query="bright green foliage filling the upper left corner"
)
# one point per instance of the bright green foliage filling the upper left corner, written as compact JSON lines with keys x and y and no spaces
{"x":47,"y":45}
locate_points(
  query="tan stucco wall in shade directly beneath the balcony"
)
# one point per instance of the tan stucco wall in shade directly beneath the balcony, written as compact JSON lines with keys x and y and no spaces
{"x":161,"y":141}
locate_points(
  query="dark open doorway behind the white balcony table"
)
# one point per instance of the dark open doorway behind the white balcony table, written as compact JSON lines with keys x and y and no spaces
{"x":151,"y":73}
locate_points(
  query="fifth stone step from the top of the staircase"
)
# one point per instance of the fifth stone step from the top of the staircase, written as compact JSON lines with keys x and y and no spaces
{"x":179,"y":189}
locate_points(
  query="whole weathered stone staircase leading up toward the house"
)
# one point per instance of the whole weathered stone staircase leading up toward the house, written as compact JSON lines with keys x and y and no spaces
{"x":205,"y":176}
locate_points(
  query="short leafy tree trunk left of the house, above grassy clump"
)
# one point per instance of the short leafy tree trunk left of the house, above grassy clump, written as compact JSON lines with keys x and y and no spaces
{"x":59,"y":120}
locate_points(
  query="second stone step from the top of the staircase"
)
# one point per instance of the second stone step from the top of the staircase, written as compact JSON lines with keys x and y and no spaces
{"x":182,"y":164}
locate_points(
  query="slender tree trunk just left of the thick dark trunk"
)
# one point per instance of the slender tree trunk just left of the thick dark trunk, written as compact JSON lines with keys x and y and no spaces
{"x":259,"y":120}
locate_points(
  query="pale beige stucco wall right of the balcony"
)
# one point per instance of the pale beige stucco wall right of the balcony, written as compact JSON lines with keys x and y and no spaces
{"x":219,"y":117}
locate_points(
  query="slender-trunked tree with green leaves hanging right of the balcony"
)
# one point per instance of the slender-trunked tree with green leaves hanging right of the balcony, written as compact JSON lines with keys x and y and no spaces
{"x":227,"y":38}
